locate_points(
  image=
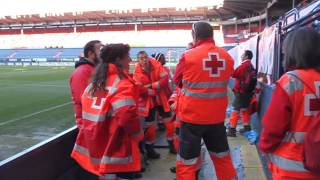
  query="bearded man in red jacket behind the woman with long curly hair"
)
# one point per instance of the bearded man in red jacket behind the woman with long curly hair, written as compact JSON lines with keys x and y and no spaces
{"x":81,"y":76}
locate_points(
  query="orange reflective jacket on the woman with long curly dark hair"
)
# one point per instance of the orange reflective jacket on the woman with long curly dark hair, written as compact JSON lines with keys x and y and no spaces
{"x":110,"y":129}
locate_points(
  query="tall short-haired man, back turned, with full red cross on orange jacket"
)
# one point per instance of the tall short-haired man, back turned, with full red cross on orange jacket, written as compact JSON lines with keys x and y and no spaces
{"x":202,"y":74}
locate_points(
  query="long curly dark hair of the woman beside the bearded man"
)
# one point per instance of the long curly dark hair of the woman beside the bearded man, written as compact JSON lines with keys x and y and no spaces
{"x":110,"y":54}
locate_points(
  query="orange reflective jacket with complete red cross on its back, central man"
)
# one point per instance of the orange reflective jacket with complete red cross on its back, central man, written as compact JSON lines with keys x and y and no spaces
{"x":203,"y":98}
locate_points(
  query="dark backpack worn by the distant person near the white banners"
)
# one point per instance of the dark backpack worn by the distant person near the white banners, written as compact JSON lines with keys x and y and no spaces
{"x":248,"y":84}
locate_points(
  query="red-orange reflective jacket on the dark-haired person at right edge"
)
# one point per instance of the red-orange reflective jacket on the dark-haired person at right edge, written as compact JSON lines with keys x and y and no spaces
{"x":291,"y":117}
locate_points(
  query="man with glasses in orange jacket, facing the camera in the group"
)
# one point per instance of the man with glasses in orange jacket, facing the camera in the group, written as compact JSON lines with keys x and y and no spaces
{"x":154,"y":95}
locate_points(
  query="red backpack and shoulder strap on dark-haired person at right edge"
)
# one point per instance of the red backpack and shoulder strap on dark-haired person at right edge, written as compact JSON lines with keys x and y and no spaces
{"x":311,"y":144}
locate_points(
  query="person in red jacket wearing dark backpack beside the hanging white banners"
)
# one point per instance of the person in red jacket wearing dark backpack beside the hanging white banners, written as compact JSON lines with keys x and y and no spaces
{"x":242,"y":94}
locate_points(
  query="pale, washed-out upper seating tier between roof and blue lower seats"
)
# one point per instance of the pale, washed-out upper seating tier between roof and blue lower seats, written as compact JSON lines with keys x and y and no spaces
{"x":144,"y":35}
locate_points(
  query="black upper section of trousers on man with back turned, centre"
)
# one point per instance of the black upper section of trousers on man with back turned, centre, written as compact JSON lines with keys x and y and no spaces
{"x":214,"y":136}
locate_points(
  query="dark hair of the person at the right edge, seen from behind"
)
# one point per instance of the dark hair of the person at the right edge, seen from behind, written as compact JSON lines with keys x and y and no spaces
{"x":301,"y":49}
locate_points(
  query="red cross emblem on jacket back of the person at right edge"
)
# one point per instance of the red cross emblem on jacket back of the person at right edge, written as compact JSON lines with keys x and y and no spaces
{"x":312,"y":104}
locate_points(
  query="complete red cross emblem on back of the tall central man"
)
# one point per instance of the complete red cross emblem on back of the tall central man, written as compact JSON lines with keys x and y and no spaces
{"x":214,"y":64}
